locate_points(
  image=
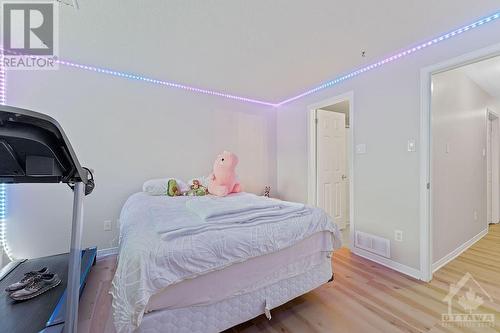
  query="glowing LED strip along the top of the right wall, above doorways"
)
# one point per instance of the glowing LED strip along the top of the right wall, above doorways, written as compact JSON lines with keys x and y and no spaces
{"x":397,"y":56}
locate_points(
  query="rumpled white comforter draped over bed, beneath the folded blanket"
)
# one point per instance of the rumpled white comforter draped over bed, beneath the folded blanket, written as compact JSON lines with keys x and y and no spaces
{"x":153,"y":255}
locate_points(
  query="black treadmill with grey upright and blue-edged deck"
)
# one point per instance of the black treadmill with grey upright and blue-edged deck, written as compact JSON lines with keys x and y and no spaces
{"x":34,"y":149}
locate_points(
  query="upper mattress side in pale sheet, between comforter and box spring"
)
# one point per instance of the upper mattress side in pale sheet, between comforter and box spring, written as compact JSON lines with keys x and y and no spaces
{"x":244,"y":277}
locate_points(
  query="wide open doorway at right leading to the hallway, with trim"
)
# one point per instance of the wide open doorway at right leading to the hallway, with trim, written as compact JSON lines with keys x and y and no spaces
{"x":461,"y":101}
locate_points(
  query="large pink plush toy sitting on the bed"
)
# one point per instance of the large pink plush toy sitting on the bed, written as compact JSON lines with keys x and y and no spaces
{"x":223,"y":179}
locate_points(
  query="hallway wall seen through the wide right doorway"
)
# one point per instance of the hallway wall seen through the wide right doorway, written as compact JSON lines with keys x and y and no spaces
{"x":458,"y":165}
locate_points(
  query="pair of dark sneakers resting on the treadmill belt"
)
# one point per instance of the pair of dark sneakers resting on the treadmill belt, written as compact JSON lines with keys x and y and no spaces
{"x":33,"y":284}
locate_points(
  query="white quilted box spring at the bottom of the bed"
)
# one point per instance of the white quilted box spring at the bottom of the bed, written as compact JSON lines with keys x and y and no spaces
{"x":232,"y":311}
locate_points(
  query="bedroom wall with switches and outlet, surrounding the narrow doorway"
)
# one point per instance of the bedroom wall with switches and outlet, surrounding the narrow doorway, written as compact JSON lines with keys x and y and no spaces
{"x":386,"y":115}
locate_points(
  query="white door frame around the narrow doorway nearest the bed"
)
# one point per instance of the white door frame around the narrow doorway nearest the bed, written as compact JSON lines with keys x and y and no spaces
{"x":312,"y":154}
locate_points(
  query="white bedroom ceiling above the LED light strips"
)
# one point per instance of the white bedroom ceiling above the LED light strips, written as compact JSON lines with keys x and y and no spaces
{"x":263,"y":49}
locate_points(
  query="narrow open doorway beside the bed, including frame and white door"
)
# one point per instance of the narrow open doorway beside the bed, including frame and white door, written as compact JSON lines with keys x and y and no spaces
{"x":330,"y":176}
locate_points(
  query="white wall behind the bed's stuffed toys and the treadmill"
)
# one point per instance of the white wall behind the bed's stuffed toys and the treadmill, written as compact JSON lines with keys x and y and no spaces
{"x":128,"y":131}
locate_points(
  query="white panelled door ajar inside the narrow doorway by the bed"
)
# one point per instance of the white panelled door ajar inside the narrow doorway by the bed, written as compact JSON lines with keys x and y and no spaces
{"x":331,"y":163}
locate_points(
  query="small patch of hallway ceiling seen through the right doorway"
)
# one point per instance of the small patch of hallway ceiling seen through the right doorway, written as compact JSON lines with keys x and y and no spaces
{"x":486,"y":74}
